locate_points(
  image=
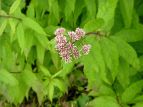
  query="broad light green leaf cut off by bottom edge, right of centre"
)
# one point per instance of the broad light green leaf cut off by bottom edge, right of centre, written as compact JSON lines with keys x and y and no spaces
{"x":104,"y":101}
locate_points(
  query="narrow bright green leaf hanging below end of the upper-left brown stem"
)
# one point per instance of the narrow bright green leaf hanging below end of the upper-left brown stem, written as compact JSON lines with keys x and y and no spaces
{"x":21,"y":36}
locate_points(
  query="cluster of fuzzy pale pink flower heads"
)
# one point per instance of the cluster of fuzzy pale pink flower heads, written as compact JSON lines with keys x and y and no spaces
{"x":67,"y":49}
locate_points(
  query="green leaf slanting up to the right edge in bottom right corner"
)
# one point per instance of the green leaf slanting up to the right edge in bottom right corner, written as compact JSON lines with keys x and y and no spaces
{"x":132,"y":91}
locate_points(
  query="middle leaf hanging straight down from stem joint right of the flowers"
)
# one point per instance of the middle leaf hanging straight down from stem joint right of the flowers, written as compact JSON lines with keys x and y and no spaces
{"x":111,"y":56}
